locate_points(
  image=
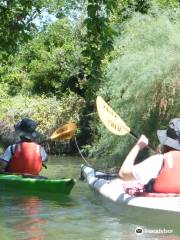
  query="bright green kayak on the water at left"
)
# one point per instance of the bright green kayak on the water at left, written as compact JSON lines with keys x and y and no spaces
{"x":36,"y":185}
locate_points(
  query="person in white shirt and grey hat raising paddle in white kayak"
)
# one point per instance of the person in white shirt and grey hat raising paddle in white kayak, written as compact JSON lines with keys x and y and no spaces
{"x":160,"y":172}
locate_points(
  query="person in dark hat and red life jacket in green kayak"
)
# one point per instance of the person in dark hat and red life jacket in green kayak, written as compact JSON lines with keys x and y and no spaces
{"x":26,"y":156}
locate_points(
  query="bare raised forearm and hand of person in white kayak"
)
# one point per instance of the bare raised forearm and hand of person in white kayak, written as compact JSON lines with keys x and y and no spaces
{"x":125,"y":171}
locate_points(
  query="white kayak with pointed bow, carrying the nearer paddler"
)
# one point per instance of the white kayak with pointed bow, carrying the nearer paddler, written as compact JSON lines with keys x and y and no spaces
{"x":113,"y":191}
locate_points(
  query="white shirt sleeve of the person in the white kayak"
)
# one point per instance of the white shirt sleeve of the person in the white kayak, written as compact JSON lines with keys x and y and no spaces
{"x":148,"y":169}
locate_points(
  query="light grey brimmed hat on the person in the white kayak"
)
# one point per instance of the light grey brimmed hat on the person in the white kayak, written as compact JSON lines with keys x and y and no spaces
{"x":171,"y":136}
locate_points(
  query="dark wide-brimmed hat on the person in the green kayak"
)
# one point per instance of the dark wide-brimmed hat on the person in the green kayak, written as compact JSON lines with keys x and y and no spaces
{"x":27,"y":128}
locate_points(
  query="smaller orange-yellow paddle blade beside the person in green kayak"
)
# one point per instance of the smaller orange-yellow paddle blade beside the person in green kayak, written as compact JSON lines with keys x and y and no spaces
{"x":65,"y":132}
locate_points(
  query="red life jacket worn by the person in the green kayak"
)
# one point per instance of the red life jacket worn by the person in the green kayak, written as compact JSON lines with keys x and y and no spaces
{"x":26,"y":159}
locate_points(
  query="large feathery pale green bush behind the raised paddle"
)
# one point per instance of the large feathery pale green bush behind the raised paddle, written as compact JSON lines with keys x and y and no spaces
{"x":142,"y":83}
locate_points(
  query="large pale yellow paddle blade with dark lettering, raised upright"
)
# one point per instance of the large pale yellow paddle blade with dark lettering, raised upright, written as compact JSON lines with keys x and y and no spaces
{"x":110,"y":118}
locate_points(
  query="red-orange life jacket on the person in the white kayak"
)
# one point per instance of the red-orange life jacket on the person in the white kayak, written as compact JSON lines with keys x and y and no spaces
{"x":168,"y":180}
